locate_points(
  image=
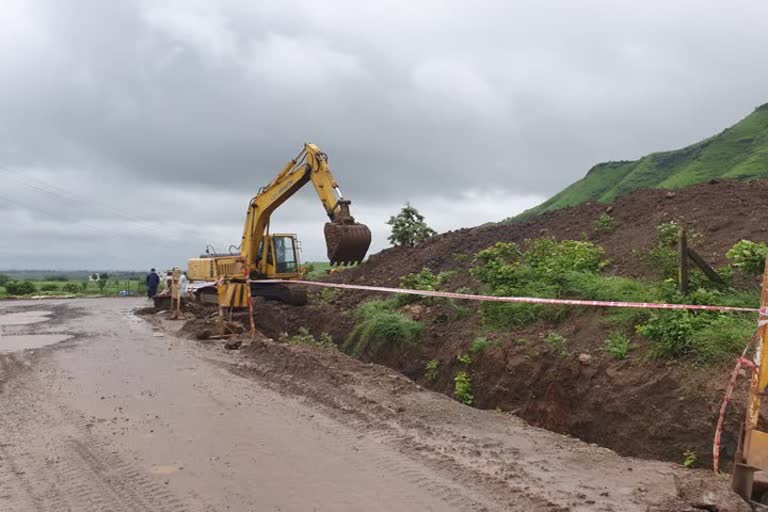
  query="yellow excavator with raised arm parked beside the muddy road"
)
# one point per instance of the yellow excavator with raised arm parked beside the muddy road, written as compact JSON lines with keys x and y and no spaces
{"x":232,"y":279}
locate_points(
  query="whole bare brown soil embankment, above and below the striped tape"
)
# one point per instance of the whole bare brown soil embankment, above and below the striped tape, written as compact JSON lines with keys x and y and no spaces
{"x":639,"y":406}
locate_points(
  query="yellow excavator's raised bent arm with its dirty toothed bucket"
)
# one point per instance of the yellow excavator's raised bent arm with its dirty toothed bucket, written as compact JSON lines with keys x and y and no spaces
{"x":347,"y":241}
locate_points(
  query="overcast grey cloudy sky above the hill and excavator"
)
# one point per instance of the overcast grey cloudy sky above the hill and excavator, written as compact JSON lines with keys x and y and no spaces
{"x":134,"y":132}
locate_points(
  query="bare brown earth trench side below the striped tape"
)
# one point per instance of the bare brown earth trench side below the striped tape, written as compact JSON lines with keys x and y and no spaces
{"x":635,"y":407}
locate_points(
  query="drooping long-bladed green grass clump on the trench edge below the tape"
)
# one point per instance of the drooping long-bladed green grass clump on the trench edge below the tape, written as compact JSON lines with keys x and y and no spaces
{"x":377,"y":323}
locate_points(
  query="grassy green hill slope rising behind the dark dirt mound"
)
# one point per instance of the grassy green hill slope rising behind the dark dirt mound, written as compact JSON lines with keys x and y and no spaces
{"x":738,"y":152}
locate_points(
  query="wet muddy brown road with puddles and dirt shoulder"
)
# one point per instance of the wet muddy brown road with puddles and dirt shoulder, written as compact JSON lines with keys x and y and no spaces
{"x":101,"y":410}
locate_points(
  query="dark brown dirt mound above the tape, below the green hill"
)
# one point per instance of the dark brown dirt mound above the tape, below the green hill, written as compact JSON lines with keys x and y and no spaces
{"x":723,"y":212}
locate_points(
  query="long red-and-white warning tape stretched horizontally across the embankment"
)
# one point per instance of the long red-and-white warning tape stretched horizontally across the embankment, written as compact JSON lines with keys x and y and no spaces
{"x":526,"y":300}
